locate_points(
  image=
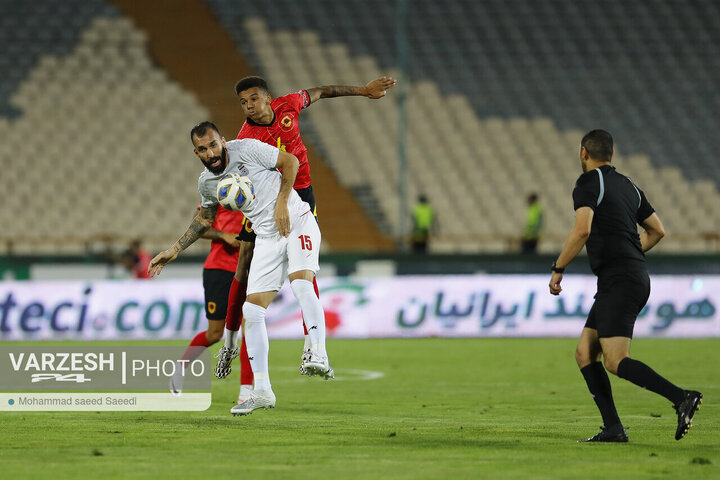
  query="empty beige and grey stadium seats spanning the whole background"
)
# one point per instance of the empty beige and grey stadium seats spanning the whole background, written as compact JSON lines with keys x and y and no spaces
{"x":499,"y":95}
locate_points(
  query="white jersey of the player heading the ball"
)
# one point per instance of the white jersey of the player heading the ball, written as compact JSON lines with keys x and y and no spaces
{"x":256,"y":160}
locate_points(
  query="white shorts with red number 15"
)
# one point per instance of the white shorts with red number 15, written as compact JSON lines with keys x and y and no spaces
{"x":276,"y":257}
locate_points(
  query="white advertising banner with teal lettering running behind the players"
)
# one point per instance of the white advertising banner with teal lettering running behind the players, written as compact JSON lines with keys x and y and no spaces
{"x":420,"y":306}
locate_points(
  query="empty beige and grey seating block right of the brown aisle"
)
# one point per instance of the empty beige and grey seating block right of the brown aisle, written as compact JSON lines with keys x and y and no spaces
{"x":500,"y":93}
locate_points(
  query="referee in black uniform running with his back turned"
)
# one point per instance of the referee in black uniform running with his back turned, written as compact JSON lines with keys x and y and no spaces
{"x":608,"y":207}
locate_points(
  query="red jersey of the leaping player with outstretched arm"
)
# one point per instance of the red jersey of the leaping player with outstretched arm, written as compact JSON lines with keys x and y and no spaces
{"x":284,"y":132}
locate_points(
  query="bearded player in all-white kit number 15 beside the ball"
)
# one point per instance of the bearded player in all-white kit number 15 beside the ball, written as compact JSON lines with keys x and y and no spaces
{"x":288,"y":242}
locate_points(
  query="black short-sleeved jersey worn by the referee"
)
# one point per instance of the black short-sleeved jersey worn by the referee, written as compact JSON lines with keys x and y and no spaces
{"x":619,"y":206}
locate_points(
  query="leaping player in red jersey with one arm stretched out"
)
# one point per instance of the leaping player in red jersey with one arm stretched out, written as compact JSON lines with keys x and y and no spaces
{"x":275,"y":121}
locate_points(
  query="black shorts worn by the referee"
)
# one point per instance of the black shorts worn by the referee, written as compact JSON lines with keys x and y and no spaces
{"x":618,"y":301}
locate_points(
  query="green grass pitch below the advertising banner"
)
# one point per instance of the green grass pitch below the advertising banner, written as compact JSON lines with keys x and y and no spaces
{"x":443,"y":408}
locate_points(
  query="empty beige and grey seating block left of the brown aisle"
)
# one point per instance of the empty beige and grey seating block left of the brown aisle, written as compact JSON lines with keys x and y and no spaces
{"x":95,"y":143}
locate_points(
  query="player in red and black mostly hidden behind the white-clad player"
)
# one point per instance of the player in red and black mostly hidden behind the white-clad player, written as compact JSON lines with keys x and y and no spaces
{"x":227,"y":233}
